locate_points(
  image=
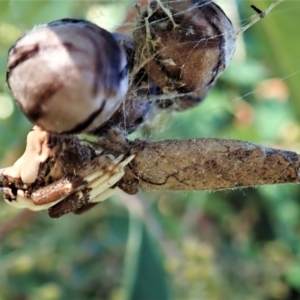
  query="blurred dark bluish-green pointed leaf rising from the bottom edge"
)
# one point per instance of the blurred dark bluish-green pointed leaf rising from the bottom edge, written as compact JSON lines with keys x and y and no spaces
{"x":144,"y":276}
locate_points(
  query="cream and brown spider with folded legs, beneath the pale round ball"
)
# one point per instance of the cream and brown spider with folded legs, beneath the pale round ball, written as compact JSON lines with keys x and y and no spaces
{"x":46,"y":174}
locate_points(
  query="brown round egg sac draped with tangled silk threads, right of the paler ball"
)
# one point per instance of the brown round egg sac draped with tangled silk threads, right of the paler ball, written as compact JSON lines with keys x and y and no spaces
{"x":184,"y":45}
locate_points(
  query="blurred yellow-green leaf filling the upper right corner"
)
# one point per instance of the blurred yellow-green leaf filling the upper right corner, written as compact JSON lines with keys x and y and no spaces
{"x":278,"y":33}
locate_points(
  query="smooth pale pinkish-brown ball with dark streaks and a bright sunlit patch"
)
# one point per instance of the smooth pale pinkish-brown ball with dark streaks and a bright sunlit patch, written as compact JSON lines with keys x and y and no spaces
{"x":68,"y":76}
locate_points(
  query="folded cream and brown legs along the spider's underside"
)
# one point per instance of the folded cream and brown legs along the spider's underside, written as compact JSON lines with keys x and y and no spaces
{"x":95,"y":186}
